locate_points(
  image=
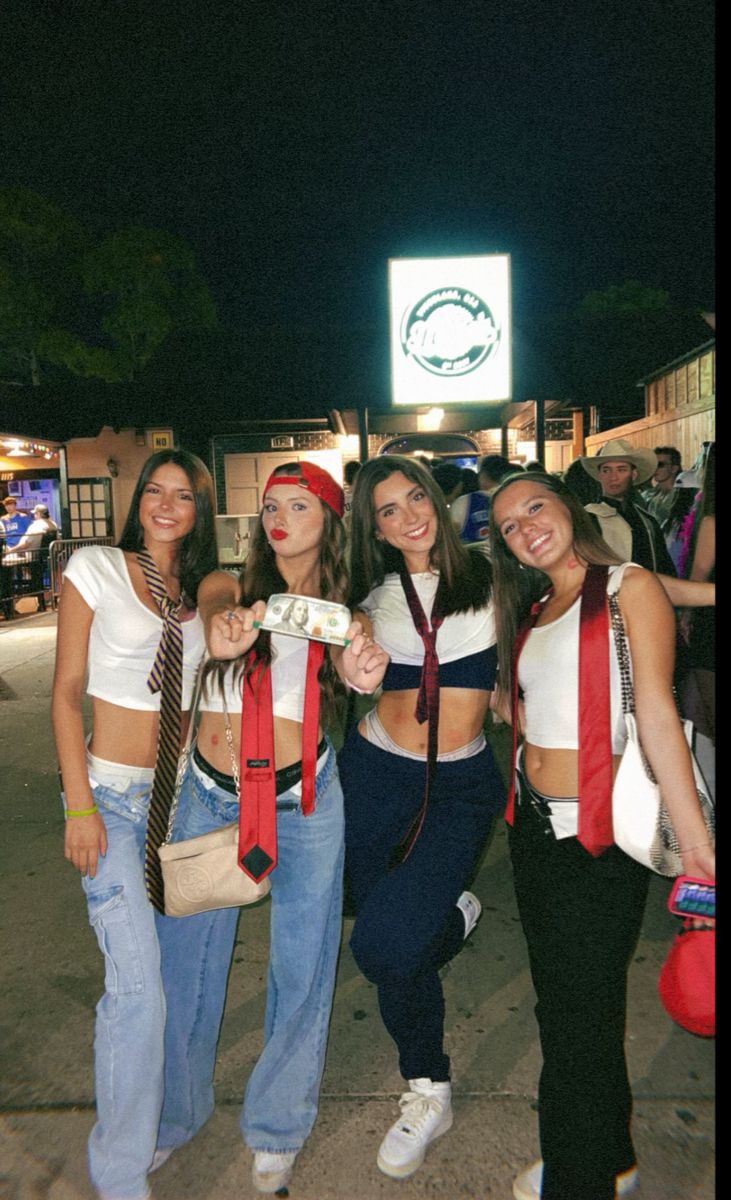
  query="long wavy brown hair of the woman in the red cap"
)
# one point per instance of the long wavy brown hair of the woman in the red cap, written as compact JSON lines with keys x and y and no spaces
{"x":261,"y":580}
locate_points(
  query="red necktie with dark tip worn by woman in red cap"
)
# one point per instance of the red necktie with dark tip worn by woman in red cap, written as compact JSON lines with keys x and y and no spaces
{"x":257,"y":802}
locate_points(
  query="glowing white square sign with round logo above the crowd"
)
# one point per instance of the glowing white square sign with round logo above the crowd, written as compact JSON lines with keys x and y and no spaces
{"x":451,"y":331}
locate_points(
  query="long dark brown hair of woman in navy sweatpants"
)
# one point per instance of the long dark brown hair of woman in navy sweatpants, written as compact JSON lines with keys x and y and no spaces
{"x":465,"y":577}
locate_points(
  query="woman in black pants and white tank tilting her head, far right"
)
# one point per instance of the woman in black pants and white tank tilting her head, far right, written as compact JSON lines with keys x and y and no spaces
{"x":580,"y":898}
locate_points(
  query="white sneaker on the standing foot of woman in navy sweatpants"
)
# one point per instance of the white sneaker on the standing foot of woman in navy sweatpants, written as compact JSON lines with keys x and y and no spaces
{"x":426,"y":1115}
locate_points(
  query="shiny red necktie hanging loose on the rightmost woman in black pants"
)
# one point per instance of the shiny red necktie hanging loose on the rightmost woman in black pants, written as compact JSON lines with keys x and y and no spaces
{"x":595,"y":722}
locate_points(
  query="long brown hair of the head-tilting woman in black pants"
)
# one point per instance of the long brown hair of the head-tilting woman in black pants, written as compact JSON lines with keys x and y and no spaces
{"x":518,"y":587}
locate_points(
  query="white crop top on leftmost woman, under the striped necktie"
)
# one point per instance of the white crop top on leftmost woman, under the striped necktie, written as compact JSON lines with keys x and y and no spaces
{"x":125,"y":634}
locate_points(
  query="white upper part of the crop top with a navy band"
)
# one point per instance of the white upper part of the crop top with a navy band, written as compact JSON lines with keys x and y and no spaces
{"x":462,"y":634}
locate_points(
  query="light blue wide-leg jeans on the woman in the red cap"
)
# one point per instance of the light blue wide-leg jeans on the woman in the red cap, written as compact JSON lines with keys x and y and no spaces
{"x":281,"y":1100}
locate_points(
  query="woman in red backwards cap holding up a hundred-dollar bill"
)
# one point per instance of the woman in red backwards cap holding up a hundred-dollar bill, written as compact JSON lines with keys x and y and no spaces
{"x":269,"y":683}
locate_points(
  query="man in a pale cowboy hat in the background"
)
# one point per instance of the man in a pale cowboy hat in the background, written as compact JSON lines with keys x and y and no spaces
{"x":622,"y":521}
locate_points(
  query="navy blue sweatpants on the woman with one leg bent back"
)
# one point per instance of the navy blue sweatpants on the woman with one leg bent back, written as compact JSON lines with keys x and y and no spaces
{"x":408,"y":926}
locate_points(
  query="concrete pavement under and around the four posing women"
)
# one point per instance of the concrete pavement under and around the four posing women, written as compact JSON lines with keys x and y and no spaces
{"x":52,"y":979}
